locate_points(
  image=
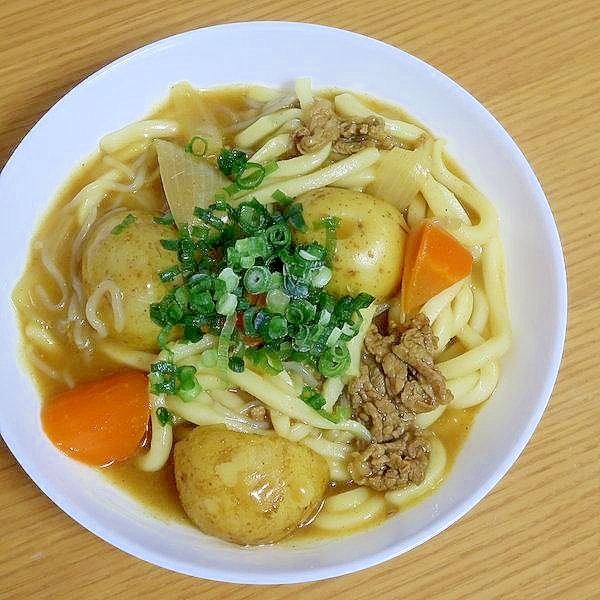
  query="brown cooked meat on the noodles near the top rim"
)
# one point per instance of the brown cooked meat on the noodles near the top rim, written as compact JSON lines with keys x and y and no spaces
{"x":322,"y":125}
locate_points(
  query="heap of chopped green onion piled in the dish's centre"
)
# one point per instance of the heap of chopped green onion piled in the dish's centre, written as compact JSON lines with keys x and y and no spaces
{"x":239,"y":275}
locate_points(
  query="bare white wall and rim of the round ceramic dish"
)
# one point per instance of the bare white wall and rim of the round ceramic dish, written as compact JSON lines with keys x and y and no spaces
{"x":267,"y":52}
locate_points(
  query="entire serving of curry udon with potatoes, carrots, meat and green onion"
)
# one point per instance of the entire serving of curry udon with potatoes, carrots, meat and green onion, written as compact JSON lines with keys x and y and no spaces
{"x":286,"y":303}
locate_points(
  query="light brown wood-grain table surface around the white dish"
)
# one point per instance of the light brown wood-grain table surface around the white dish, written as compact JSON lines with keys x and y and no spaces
{"x":535,"y":65}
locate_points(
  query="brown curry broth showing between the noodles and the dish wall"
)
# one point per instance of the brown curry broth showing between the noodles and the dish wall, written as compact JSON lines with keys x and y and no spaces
{"x":156,"y":491}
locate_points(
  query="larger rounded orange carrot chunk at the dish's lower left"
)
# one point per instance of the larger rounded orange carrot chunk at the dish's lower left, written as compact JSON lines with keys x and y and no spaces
{"x":100,"y":422}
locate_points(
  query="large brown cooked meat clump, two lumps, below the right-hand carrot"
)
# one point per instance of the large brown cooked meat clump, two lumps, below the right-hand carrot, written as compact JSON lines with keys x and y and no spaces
{"x":398,"y":379}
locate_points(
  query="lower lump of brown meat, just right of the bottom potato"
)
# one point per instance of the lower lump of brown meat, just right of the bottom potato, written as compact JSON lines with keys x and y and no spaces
{"x":392,"y":465}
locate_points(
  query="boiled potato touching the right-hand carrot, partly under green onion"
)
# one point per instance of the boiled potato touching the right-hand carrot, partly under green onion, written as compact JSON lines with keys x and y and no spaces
{"x":369,"y":240}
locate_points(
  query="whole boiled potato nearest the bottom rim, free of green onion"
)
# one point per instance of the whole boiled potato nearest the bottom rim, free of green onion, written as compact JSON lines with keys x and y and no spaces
{"x":247,"y":488}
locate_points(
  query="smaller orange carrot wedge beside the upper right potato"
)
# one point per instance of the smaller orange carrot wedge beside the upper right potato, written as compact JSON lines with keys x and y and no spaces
{"x":433,"y":261}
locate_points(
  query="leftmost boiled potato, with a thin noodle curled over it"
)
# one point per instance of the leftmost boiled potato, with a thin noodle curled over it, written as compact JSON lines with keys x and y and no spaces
{"x":132,"y":258}
